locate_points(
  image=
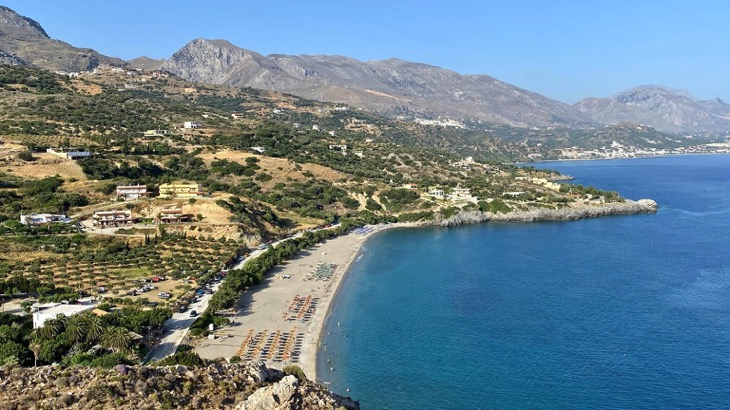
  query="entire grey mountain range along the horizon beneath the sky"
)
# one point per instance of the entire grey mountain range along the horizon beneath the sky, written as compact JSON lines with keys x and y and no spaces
{"x":393,"y":87}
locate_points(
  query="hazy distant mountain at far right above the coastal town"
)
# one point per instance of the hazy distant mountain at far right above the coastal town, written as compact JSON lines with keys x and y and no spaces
{"x":663,"y":109}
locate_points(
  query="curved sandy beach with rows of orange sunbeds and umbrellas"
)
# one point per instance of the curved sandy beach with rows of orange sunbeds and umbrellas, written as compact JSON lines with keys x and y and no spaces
{"x":281,"y":320}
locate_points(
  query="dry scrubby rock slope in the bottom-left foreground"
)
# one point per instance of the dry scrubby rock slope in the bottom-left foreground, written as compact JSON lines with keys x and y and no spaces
{"x":244,"y":386}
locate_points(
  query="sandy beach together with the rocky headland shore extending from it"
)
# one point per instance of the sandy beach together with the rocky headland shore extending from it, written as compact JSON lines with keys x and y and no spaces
{"x":281,"y":321}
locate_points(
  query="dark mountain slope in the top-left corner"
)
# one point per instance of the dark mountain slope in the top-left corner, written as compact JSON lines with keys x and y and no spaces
{"x":26,"y":40}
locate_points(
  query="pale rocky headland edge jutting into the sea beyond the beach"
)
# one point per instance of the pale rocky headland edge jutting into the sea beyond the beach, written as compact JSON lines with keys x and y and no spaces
{"x":627,"y":207}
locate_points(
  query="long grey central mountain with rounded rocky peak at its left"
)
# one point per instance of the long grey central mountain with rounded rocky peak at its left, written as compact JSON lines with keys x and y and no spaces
{"x":393,"y":87}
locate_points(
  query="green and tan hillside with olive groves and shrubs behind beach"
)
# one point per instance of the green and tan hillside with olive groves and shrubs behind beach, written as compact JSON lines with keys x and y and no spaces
{"x":302,"y":179}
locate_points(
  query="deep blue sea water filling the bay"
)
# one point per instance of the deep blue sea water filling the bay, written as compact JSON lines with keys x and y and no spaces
{"x":623,"y":312}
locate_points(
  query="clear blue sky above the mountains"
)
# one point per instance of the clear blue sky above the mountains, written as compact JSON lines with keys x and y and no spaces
{"x":564,"y":49}
